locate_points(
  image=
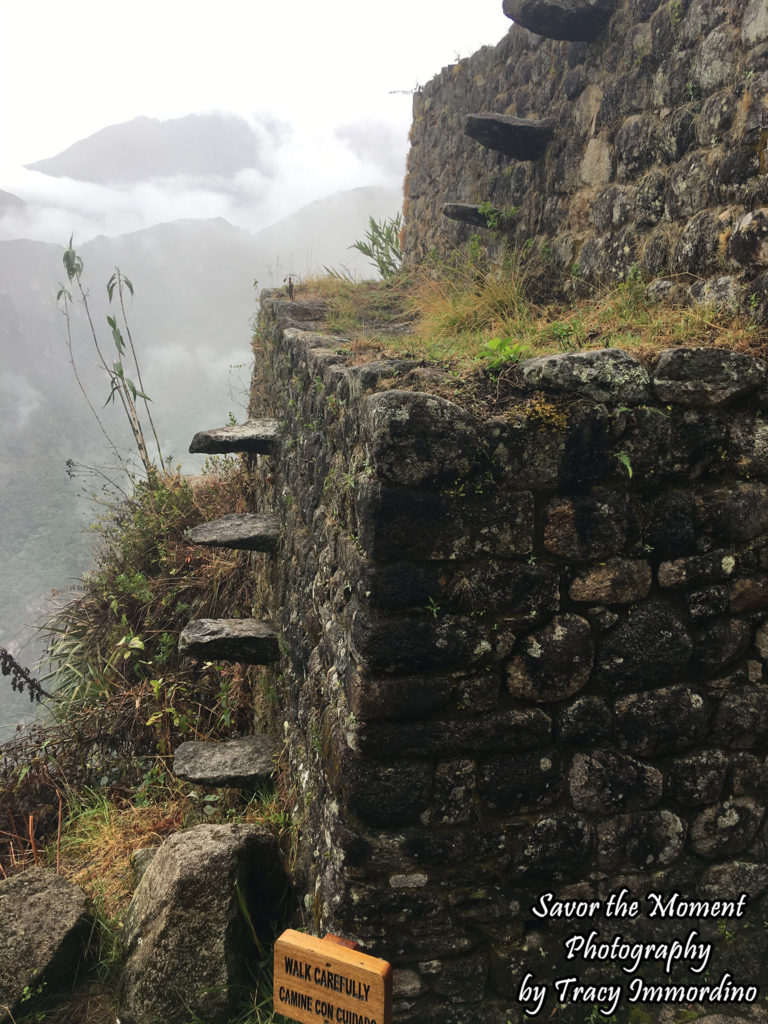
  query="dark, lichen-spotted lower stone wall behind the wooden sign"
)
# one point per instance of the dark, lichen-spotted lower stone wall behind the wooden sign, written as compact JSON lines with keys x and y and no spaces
{"x":523,"y":655}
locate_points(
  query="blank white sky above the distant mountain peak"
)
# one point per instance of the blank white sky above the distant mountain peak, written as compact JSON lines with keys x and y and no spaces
{"x":69,"y":69}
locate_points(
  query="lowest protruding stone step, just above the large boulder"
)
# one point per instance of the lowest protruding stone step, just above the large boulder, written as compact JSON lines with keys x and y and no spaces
{"x":243,"y":763}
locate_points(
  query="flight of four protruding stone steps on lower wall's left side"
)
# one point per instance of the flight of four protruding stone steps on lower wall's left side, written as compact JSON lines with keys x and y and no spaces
{"x":250,"y":762}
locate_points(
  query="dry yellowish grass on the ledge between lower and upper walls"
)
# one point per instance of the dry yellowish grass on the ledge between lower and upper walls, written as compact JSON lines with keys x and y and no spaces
{"x":449,"y":313}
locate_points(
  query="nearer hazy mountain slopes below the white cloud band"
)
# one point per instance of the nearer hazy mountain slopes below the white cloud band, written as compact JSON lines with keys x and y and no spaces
{"x":195,"y":302}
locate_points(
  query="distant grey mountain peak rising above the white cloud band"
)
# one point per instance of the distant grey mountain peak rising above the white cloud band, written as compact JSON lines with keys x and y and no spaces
{"x":196,"y":146}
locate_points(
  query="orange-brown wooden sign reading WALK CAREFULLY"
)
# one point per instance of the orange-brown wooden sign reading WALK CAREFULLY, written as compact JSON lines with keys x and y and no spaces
{"x":324,"y":982}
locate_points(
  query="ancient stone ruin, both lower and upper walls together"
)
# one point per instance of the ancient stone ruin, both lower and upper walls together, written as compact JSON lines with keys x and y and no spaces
{"x":521,"y":662}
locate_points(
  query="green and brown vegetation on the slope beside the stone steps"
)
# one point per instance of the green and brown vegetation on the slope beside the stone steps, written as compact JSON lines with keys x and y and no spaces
{"x":84,"y":790}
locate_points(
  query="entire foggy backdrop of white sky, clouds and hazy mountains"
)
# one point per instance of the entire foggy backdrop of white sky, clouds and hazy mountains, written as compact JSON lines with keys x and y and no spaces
{"x":200,"y":152}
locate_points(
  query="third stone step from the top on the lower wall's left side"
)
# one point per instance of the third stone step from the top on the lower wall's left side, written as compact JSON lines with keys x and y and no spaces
{"x":247,"y":641}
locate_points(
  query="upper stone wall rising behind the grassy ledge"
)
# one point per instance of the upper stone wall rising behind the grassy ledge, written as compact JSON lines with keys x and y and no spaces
{"x":658,"y":161}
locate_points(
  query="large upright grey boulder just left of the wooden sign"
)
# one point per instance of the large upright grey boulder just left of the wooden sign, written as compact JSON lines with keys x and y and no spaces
{"x":187,"y":941}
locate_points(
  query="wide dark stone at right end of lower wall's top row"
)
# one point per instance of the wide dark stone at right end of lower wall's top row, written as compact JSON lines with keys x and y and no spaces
{"x":707,"y":376}
